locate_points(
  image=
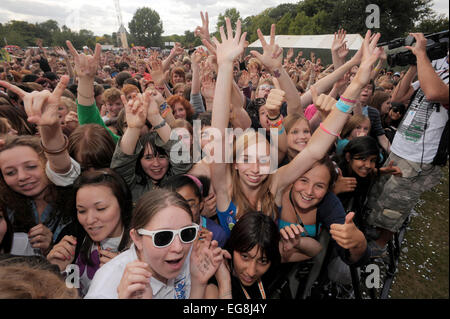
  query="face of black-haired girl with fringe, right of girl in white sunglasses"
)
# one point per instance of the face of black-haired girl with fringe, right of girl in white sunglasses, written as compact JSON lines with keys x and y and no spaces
{"x":250,"y":266}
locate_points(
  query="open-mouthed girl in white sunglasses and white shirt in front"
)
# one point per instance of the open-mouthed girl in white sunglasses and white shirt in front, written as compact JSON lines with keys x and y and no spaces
{"x":166,"y":260}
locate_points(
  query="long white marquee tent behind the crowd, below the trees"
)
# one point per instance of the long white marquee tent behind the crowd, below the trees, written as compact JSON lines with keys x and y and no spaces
{"x":322,"y":41}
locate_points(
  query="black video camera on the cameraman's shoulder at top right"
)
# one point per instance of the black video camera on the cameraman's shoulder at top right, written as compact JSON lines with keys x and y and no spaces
{"x":437,"y":48}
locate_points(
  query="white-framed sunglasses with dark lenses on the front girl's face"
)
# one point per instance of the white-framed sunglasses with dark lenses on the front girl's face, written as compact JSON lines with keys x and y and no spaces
{"x":163,"y":238}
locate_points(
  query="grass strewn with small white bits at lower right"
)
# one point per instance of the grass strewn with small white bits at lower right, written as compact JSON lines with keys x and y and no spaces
{"x":424,"y":263}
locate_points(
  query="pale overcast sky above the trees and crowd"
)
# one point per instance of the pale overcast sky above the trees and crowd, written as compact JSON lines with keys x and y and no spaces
{"x":100,"y":16}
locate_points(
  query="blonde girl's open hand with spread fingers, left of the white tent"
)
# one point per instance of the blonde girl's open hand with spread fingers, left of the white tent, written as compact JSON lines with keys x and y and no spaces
{"x":231,"y":47}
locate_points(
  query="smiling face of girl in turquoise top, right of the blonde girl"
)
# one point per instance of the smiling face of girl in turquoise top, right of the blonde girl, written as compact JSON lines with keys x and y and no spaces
{"x":309,"y":190}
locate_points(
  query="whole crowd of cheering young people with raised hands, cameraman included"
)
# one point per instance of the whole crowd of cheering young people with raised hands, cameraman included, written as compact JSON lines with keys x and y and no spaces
{"x":98,"y":167}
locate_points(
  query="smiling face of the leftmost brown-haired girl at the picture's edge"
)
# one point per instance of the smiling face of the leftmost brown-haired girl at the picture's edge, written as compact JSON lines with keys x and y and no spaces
{"x":23,"y":171}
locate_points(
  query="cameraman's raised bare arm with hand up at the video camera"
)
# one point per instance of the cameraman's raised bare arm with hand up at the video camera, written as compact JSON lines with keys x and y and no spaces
{"x":434,"y":88}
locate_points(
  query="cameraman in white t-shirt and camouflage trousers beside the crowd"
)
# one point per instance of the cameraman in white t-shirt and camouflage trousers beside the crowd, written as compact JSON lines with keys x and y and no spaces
{"x":419,"y":148}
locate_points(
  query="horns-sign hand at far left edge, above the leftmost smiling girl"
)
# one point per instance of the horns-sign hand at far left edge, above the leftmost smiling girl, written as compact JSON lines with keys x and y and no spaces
{"x":41,"y":107}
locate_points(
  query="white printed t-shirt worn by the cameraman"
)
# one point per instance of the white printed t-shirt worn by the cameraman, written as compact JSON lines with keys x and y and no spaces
{"x":417,"y":138}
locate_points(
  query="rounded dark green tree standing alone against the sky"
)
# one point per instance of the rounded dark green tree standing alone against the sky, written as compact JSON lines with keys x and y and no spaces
{"x":146,"y":28}
